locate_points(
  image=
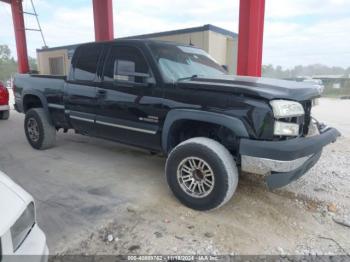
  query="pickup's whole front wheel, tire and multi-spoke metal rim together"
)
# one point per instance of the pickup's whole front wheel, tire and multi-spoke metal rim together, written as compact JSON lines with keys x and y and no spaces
{"x":202,"y":173}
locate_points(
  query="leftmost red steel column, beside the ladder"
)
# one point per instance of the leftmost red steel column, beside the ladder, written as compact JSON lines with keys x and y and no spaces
{"x":20,"y":35}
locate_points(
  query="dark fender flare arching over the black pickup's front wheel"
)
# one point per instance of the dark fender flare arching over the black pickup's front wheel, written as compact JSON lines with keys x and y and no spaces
{"x":232,"y":123}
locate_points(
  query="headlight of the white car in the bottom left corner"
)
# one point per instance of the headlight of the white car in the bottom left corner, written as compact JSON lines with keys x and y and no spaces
{"x":22,"y":227}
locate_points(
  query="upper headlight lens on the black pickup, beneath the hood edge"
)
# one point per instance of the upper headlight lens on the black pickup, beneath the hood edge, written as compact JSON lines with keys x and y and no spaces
{"x":285,"y":108}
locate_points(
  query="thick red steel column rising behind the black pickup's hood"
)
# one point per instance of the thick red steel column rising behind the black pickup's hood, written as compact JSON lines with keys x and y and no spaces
{"x":250,"y":38}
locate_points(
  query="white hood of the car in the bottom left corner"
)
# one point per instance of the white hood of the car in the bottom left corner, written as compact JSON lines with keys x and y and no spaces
{"x":13,"y":201}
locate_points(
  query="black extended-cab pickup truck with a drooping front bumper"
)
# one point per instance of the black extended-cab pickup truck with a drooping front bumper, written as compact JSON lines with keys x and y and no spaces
{"x":176,"y":100}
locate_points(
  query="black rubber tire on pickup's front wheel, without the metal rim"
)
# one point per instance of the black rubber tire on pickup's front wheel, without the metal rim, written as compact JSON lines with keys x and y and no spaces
{"x":222,"y":164}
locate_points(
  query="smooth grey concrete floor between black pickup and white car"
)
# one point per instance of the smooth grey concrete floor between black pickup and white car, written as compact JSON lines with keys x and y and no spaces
{"x":78,"y":182}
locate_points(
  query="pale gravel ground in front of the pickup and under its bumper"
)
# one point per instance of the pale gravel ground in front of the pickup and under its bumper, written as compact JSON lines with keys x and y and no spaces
{"x":313,"y":219}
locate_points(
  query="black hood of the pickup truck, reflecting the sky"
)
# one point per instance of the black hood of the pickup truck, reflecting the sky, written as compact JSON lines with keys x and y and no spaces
{"x":256,"y":87}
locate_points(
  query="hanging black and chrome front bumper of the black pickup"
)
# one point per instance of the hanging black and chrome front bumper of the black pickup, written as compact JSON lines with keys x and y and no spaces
{"x":282,"y":162}
